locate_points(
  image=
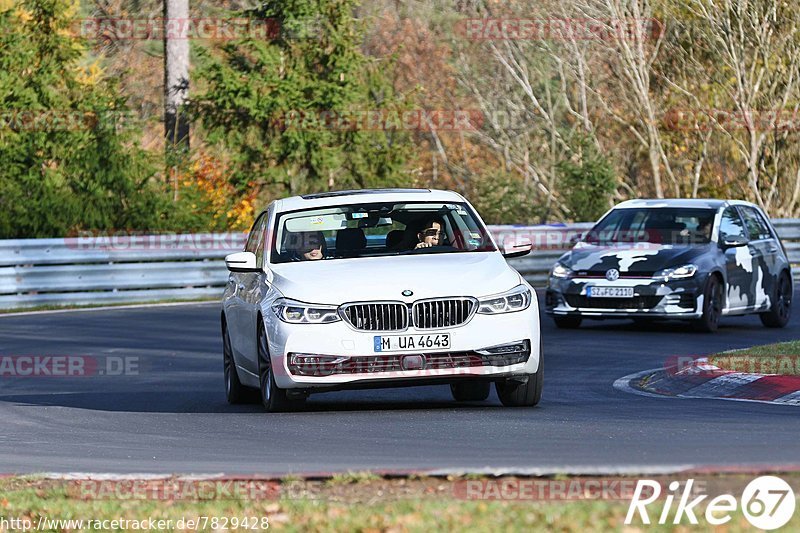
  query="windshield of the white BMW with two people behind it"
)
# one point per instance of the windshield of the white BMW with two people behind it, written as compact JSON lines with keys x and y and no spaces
{"x":378,"y":229}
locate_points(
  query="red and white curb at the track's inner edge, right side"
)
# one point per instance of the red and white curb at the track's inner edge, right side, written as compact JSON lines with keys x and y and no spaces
{"x":702,"y":380}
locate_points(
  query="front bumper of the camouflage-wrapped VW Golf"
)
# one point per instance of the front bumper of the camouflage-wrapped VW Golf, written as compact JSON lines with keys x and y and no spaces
{"x":652,"y":298}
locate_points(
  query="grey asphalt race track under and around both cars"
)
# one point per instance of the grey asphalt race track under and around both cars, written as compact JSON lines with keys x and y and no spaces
{"x":172,"y":416}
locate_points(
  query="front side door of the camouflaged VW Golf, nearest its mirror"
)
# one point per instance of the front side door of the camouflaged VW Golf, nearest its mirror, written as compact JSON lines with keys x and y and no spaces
{"x":738,"y":260}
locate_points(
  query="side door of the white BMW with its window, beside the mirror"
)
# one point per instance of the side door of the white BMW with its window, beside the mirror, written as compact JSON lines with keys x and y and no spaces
{"x":237,"y":309}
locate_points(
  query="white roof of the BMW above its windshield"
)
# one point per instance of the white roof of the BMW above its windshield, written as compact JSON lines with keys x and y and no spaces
{"x":333,"y":198}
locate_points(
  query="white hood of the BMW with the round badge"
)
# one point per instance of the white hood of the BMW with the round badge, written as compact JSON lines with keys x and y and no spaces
{"x":385,"y":278}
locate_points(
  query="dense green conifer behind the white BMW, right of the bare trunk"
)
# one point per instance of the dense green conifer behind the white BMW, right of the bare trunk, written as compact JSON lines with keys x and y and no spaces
{"x":266,"y":102}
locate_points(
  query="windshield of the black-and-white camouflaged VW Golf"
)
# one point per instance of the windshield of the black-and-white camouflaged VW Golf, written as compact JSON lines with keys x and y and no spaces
{"x":659,"y":225}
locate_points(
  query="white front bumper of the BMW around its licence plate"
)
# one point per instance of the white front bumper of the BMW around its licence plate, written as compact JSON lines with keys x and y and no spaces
{"x":356,"y":361}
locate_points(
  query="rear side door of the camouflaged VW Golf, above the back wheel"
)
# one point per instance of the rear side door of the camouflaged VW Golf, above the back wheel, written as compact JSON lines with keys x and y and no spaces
{"x":766,"y":252}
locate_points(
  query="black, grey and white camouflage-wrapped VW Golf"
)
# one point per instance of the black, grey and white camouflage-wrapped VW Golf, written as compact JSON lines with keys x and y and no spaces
{"x":685,"y":259}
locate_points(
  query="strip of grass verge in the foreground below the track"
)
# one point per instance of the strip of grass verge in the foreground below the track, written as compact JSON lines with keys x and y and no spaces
{"x":362,"y":502}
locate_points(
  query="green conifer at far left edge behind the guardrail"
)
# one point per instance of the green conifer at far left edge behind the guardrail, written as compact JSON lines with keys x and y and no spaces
{"x":68,"y":160}
